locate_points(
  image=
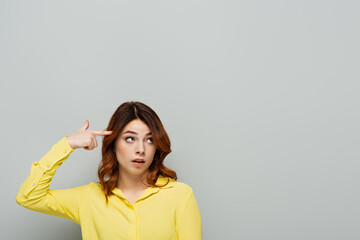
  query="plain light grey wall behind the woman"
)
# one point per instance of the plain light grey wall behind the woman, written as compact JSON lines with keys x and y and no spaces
{"x":260,"y":100}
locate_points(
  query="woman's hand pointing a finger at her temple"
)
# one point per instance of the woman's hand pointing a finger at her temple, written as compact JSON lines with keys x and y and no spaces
{"x":85,"y":139}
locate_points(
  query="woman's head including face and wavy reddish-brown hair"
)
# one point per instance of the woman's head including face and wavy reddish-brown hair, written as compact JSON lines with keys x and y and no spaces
{"x":141,"y":118}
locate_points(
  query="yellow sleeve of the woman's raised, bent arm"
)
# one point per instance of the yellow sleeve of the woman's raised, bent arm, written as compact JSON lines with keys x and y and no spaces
{"x":34,"y":193}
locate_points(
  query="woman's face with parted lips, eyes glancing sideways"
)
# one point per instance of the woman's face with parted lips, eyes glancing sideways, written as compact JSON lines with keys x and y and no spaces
{"x":135,"y":141}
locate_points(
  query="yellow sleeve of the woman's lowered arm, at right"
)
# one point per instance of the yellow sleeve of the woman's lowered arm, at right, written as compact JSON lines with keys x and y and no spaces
{"x":188,"y":224}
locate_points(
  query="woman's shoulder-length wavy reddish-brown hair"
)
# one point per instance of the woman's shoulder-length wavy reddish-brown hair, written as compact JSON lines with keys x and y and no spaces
{"x":108,"y":170}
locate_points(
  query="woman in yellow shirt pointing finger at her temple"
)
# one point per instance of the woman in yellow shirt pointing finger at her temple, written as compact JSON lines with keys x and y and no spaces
{"x":137,"y":197}
